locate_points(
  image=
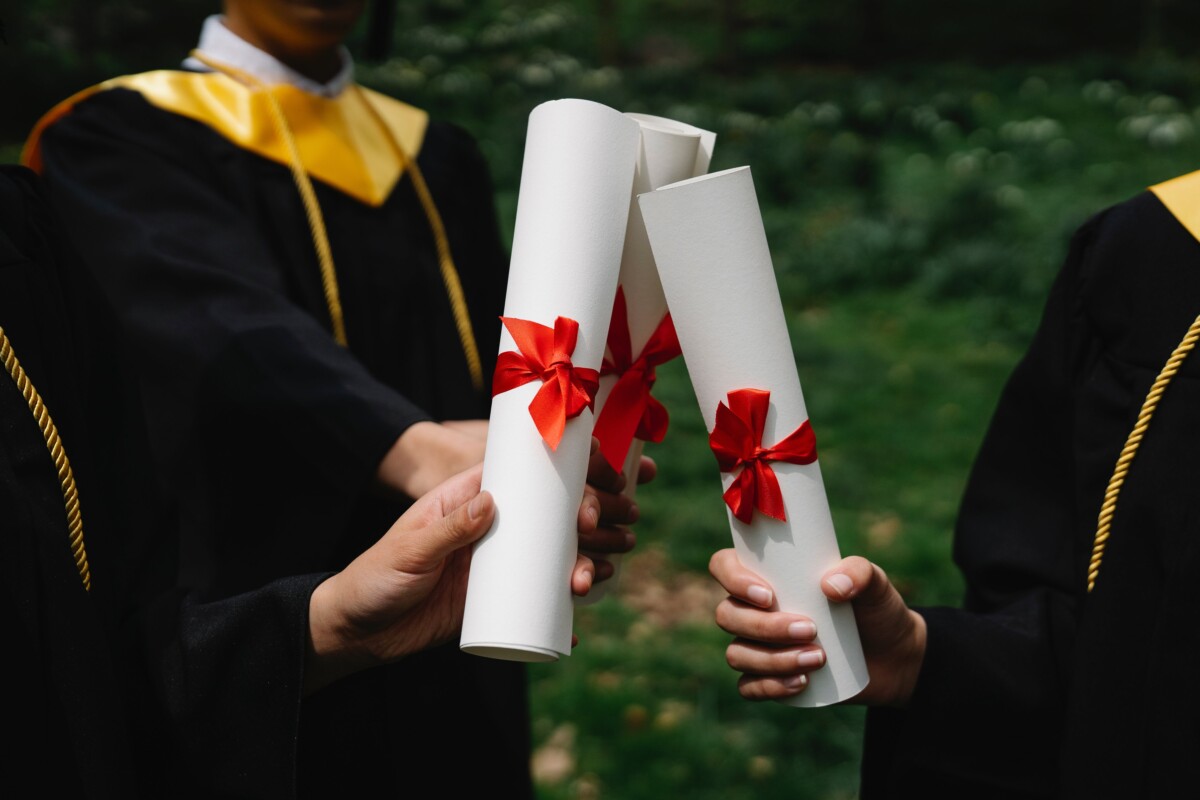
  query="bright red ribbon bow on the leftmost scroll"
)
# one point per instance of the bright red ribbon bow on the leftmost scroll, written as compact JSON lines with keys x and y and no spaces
{"x":545,"y":354}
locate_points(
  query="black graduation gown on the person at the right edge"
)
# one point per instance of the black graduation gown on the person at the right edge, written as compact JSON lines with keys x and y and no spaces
{"x":1040,"y":689}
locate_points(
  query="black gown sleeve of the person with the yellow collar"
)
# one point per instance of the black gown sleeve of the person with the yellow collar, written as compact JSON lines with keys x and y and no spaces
{"x":202,"y":300}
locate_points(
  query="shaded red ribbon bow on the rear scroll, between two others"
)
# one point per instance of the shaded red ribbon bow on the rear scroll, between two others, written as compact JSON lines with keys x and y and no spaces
{"x":631,"y":411}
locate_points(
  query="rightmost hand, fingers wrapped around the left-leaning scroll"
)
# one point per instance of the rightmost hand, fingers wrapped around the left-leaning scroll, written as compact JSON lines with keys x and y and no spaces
{"x":776,"y":651}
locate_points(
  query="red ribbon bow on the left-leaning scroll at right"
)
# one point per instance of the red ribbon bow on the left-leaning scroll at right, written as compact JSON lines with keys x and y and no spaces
{"x":737,"y":442}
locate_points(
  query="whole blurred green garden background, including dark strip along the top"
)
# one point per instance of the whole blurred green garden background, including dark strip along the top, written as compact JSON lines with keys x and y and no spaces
{"x":917,"y":210}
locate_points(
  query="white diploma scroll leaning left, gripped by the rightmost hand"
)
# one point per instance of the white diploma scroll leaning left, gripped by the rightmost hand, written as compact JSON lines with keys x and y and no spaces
{"x":716,"y":267}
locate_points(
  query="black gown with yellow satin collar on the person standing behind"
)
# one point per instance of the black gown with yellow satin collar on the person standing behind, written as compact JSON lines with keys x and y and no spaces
{"x":267,"y":432}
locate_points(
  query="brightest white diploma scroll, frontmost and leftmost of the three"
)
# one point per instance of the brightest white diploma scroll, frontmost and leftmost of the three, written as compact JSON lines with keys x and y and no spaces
{"x":572,"y":214}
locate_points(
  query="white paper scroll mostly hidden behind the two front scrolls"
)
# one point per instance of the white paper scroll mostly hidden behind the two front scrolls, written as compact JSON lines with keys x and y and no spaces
{"x":670,"y":152}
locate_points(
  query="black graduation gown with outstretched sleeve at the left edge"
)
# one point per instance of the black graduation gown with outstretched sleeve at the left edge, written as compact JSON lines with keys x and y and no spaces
{"x":92,"y":673}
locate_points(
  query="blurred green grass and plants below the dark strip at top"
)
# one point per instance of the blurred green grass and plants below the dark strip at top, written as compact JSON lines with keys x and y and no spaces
{"x":916,"y":218}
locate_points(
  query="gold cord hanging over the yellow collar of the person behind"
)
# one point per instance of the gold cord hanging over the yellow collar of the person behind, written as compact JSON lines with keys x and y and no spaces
{"x":321,"y":238}
